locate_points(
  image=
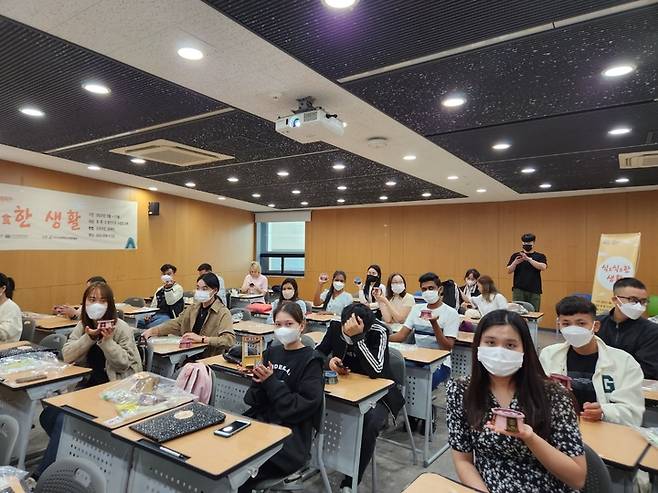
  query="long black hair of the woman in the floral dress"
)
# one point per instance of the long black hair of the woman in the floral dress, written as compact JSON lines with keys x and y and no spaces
{"x":533,"y":388}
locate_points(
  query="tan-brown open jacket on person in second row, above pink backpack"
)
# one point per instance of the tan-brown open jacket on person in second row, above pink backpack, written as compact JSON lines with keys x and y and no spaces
{"x":217,"y":328}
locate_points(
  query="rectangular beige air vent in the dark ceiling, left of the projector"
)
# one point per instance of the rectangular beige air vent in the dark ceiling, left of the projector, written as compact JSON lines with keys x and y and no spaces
{"x":169,"y":152}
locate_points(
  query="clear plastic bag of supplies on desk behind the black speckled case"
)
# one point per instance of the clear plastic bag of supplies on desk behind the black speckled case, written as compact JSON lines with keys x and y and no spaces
{"x":145,"y":392}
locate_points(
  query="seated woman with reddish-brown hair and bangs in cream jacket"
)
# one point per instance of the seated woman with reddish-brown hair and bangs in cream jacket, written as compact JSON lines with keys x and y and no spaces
{"x":111,"y":353}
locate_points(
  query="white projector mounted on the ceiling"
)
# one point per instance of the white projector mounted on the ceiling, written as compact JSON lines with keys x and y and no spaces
{"x":309,"y":124}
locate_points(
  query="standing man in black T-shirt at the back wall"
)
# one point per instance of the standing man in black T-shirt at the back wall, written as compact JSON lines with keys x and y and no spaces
{"x":527,"y":266}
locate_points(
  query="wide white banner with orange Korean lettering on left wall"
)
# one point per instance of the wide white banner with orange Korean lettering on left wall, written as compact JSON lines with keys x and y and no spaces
{"x":39,"y":219}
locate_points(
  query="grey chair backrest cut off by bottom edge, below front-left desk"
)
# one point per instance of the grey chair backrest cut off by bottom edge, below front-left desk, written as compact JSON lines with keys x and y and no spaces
{"x":73,"y":476}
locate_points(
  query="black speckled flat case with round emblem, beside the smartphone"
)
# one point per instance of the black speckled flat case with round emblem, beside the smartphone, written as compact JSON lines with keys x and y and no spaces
{"x":179,"y":422}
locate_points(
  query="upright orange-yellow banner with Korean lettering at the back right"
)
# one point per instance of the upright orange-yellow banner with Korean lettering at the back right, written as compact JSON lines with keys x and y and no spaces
{"x":618,"y":257}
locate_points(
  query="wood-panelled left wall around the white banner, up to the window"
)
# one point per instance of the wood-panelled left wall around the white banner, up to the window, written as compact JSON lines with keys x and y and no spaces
{"x":186,"y":233}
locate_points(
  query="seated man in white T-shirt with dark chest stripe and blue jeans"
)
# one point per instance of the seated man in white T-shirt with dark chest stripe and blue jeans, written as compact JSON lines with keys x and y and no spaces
{"x":438,"y":330}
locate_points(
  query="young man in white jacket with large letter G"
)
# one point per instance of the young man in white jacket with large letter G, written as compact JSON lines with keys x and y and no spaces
{"x":607,"y":382}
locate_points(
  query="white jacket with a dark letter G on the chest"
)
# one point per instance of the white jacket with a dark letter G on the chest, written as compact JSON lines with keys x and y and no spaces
{"x":617,"y":380}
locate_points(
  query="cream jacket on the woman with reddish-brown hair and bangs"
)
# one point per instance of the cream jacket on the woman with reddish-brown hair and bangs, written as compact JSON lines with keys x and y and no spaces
{"x":121,"y":355}
